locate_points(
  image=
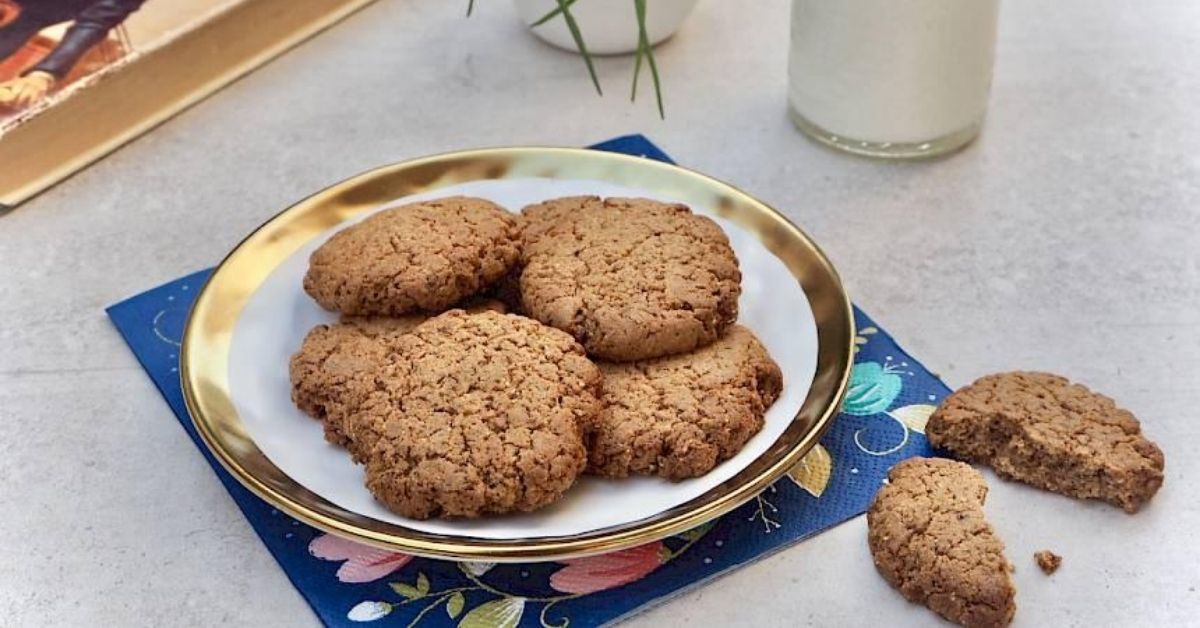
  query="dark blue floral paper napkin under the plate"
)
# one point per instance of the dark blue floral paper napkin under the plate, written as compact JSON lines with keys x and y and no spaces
{"x":891,"y":396}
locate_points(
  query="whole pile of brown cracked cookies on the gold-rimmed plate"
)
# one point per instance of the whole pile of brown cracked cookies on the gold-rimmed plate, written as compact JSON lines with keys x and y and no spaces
{"x":485,"y":361}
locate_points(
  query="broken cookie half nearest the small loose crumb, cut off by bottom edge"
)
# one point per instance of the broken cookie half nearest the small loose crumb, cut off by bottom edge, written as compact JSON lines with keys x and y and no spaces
{"x":931,"y":541}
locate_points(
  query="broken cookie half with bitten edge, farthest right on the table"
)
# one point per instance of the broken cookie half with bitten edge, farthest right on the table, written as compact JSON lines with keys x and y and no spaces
{"x":1048,"y":433}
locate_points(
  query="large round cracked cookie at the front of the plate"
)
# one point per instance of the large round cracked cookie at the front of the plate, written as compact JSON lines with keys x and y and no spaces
{"x":477,"y":415}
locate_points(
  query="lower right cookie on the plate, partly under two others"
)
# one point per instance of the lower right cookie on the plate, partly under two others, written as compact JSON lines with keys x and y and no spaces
{"x":679,"y":417}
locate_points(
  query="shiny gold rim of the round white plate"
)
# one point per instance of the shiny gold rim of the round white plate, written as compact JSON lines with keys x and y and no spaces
{"x":211,"y":327}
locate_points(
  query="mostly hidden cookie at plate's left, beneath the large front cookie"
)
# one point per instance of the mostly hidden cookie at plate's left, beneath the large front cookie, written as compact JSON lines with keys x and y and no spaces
{"x":337,"y":364}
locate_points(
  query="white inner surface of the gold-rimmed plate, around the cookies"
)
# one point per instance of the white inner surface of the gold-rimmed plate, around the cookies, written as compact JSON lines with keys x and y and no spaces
{"x":279,"y":314}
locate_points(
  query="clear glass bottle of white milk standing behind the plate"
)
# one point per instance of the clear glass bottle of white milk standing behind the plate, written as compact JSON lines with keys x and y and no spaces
{"x":892,"y":79}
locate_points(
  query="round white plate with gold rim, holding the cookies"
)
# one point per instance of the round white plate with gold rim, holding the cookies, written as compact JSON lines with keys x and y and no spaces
{"x":253,"y":314}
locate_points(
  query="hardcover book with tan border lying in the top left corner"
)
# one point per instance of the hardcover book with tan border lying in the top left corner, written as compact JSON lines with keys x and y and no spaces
{"x":81,"y":77}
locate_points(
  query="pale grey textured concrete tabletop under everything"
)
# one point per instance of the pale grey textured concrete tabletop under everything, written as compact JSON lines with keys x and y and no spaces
{"x":1067,"y":240}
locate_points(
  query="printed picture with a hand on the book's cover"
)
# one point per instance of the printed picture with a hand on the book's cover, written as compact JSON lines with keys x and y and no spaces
{"x":50,"y":49}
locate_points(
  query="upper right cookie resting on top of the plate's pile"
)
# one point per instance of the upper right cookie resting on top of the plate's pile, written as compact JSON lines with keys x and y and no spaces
{"x":631,"y":279}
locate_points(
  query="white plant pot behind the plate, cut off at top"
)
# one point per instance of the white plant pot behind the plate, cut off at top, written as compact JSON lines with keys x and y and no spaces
{"x":609,"y":27}
